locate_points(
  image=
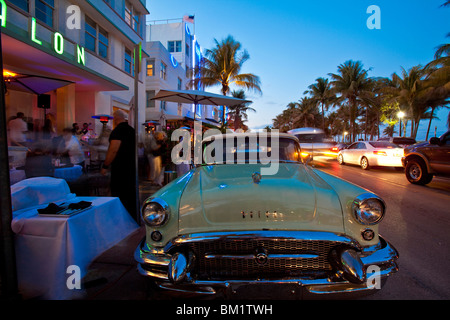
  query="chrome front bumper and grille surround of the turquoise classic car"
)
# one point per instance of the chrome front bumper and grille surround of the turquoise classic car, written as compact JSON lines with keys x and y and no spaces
{"x":152,"y":262}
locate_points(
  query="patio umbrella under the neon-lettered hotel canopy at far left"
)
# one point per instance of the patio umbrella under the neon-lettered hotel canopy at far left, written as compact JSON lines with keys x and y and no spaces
{"x":32,"y":83}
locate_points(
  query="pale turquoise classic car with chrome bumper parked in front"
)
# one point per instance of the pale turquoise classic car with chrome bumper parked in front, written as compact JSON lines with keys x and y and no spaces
{"x":238,"y":221}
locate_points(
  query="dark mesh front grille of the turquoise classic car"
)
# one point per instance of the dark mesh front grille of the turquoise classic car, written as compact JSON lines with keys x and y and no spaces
{"x":237,"y":258}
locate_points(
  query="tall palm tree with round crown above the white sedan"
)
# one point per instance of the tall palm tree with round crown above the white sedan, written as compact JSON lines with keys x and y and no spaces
{"x":351,"y":83}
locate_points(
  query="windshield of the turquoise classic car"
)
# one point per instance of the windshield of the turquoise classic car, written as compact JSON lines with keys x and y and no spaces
{"x":250,"y":150}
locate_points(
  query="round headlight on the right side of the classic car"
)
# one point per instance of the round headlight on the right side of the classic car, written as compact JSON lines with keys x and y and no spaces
{"x":368,"y":209}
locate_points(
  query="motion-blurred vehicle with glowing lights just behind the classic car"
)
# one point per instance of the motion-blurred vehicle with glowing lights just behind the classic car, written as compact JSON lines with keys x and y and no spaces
{"x":315,"y":142}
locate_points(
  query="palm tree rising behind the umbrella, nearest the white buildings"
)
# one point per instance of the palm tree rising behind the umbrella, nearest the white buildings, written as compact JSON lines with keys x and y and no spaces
{"x":222,"y":66}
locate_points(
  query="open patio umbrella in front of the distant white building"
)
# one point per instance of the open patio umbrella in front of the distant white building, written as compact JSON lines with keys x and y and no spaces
{"x":197,"y":97}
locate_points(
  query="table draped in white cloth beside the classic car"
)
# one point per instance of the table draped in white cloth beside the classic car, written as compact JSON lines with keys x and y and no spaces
{"x":46,"y":246}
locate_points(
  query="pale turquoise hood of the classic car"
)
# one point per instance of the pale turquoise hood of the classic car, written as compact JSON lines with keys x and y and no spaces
{"x":225,"y":197}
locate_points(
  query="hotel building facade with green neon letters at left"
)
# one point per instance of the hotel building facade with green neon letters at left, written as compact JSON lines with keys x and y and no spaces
{"x":85,"y":42}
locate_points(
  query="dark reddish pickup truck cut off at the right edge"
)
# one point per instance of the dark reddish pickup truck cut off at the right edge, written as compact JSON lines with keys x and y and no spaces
{"x":424,"y":160}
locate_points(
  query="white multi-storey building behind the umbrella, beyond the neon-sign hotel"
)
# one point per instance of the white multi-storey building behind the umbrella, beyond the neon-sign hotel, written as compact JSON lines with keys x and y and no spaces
{"x":173,"y":54}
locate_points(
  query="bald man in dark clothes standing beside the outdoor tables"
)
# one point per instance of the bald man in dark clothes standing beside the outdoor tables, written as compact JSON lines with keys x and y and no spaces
{"x":120,"y":157}
